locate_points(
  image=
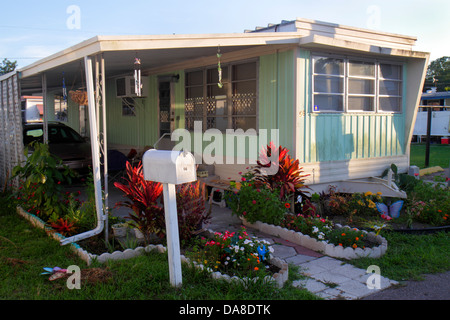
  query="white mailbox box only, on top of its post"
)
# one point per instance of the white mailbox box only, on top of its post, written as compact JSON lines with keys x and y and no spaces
{"x":165,"y":166}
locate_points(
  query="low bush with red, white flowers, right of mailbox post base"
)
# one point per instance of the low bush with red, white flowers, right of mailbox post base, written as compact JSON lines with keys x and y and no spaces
{"x":234,"y":253}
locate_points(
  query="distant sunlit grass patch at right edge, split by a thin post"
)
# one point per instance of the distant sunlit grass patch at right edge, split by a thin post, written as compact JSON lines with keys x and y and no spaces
{"x":439,"y":155}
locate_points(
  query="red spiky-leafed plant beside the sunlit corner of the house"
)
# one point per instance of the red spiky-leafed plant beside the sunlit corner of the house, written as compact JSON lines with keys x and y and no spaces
{"x":288,"y":179}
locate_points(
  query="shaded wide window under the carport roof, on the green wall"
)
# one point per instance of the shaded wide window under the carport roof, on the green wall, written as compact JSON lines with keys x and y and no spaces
{"x":233,"y":106}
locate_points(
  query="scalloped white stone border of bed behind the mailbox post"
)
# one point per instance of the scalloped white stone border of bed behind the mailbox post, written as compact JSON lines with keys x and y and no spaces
{"x":280,"y":278}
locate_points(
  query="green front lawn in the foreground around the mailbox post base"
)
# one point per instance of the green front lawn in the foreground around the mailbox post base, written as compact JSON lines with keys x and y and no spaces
{"x":25,"y":251}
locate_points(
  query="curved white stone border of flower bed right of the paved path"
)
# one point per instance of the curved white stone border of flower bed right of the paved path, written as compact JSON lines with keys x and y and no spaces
{"x":321,"y":246}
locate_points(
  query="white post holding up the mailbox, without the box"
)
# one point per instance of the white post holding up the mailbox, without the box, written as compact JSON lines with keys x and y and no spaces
{"x":173,"y":239}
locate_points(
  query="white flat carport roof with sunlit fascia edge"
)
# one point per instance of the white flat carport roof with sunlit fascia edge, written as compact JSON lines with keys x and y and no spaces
{"x":154,"y":51}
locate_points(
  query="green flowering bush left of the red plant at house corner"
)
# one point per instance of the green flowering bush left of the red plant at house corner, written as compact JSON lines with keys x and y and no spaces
{"x":255,"y":201}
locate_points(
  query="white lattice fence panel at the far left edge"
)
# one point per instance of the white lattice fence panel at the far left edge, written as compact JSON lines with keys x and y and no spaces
{"x":11,"y":141}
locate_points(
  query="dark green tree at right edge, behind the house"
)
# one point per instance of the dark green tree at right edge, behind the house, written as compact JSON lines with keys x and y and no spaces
{"x":438,"y":74}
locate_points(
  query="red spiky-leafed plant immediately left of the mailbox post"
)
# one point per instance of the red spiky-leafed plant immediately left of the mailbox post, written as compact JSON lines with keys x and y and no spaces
{"x":143,"y":198}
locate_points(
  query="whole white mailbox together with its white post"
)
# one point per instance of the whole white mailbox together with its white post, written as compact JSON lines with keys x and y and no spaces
{"x":170,"y":168}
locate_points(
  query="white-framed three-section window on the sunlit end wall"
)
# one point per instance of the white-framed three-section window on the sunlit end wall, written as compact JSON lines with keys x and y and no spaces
{"x":356,"y":85}
